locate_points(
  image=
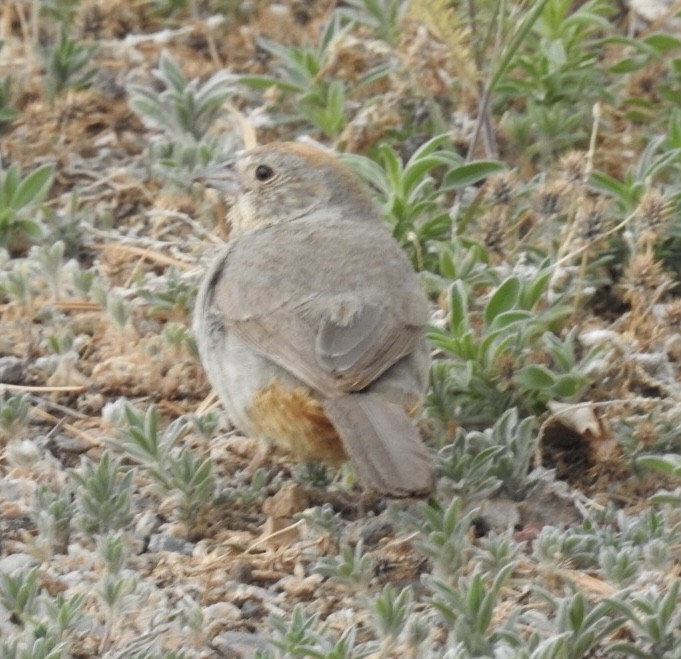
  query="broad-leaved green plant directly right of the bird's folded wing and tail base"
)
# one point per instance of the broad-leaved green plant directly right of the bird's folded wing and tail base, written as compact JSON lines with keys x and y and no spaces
{"x":490,"y":352}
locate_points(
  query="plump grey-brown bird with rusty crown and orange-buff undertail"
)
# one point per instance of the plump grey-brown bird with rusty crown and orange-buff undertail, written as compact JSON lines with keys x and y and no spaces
{"x":310,"y":323}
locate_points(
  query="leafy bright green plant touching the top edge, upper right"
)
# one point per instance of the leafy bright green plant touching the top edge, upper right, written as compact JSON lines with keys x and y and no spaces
{"x":548,"y":68}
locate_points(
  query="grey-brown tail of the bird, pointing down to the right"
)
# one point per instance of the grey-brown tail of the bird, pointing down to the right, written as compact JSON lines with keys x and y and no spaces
{"x":382,"y":444}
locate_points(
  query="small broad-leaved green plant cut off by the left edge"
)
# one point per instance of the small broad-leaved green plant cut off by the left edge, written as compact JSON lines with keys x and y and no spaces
{"x":19,"y":200}
